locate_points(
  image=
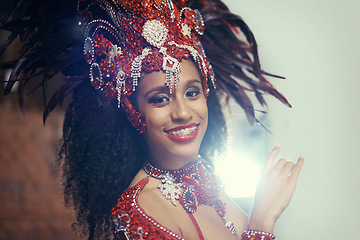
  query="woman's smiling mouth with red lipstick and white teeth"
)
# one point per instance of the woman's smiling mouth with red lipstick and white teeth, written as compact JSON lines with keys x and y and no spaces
{"x":183,"y":134}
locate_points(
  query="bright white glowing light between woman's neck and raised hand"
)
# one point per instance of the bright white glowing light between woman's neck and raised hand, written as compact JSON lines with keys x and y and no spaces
{"x":239,"y":174}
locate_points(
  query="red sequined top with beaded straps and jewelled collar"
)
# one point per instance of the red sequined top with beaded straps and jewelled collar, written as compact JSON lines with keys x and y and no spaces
{"x":199,"y":186}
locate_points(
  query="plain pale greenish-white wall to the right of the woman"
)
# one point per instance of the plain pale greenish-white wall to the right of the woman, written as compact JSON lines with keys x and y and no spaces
{"x":315,"y":44}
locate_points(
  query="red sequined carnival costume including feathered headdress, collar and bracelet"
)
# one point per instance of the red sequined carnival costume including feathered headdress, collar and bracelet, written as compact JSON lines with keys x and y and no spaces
{"x":120,"y":41}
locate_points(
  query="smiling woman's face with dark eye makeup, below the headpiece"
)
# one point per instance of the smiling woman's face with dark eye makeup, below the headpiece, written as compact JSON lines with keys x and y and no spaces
{"x":176,"y":123}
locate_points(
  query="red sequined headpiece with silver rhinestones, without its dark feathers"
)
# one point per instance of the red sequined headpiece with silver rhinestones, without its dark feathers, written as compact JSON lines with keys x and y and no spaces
{"x":133,"y":37}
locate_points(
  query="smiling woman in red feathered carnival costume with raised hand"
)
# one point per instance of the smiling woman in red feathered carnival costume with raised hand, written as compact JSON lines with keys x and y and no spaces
{"x":135,"y":128}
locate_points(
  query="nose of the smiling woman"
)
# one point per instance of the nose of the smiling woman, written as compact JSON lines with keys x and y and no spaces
{"x":181,"y":110}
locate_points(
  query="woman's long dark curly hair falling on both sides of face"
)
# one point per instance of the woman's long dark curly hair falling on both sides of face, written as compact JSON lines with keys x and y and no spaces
{"x":102,"y":152}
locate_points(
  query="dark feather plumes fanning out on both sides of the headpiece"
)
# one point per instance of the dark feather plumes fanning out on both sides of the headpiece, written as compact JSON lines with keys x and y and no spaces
{"x":52,"y":43}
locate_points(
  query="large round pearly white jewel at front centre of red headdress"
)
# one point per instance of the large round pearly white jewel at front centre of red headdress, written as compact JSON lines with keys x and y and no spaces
{"x":155,"y":32}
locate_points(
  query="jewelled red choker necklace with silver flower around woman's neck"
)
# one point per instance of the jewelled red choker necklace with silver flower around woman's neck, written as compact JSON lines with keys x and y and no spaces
{"x":193,"y":185}
